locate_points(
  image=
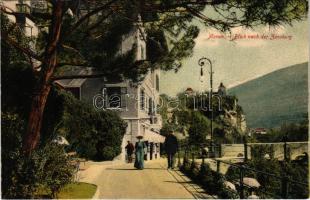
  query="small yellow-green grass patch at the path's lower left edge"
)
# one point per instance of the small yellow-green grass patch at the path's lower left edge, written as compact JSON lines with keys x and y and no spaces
{"x":78,"y":190}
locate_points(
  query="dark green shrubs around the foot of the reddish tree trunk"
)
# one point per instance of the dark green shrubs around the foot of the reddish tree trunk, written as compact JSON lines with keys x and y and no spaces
{"x":23,"y":175}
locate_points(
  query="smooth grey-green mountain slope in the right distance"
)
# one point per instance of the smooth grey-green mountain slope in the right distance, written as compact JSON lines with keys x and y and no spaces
{"x":276,"y":98}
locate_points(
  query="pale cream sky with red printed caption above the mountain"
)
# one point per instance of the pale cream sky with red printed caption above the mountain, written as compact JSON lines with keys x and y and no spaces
{"x":240,"y":60}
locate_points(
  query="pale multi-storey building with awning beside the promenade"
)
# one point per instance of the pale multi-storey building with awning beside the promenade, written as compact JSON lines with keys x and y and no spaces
{"x":136,"y":103}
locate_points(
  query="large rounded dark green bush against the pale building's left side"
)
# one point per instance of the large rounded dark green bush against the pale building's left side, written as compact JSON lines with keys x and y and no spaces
{"x":93,"y":134}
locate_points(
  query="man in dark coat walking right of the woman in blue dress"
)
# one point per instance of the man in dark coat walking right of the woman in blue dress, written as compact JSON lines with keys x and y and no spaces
{"x":171,"y":147}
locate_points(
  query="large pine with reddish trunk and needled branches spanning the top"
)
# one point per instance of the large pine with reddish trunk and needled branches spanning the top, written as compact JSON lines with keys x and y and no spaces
{"x":171,"y":16}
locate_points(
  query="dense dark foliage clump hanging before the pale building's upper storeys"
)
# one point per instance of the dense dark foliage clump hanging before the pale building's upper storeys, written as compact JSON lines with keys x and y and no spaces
{"x":102,"y":37}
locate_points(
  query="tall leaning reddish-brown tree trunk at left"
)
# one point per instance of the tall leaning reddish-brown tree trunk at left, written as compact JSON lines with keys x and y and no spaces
{"x":32,"y":136}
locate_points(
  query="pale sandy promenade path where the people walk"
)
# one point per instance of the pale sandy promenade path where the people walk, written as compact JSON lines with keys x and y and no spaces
{"x":155,"y":181}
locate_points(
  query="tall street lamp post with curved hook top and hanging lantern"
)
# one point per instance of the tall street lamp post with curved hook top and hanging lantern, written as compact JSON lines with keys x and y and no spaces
{"x":202,"y":62}
